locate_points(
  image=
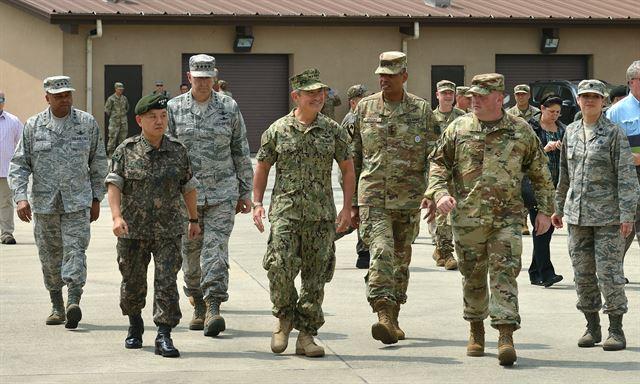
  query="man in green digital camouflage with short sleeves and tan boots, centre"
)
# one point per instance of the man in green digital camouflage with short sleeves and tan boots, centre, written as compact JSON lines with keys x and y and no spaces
{"x":303,"y":146}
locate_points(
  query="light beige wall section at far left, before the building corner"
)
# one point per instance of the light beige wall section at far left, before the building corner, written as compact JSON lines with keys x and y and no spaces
{"x":30,"y":50}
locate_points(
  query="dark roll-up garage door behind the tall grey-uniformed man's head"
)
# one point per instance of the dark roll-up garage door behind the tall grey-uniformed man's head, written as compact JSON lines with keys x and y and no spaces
{"x":259,"y":84}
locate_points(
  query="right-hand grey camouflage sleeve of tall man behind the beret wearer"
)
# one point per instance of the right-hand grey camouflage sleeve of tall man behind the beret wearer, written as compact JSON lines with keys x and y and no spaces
{"x":240,"y":155}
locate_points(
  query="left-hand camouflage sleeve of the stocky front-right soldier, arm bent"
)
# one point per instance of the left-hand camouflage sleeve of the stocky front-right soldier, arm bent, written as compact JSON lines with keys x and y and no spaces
{"x":442,"y":159}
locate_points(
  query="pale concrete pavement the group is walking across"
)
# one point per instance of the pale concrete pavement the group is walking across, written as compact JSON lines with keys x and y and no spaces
{"x":434,"y":351}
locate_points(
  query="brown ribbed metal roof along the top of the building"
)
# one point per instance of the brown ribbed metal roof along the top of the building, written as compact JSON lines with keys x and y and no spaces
{"x":337,"y":10}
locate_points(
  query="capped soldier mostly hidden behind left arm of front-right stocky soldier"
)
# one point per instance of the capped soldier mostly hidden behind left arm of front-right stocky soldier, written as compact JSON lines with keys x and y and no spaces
{"x":444,"y":114}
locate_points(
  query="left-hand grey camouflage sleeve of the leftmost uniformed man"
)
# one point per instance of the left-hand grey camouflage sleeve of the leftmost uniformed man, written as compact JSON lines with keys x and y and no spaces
{"x":20,"y":165}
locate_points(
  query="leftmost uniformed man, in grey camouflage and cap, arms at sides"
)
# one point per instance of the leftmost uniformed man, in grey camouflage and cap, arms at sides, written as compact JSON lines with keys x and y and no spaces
{"x":62,"y":150}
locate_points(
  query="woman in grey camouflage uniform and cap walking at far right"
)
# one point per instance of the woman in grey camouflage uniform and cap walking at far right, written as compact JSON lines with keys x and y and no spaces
{"x":596,"y":165}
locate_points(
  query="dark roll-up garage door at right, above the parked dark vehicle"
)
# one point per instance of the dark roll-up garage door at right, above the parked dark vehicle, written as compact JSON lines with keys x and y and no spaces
{"x":525,"y":69}
